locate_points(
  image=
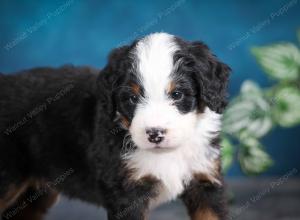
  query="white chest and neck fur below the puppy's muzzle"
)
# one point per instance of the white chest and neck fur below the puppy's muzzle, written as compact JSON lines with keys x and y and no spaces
{"x":176,"y":168}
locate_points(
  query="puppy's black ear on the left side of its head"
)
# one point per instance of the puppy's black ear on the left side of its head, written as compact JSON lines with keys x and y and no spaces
{"x":109,"y":78}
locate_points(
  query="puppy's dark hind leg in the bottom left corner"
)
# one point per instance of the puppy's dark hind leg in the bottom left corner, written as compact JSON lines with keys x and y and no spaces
{"x":31,"y":205}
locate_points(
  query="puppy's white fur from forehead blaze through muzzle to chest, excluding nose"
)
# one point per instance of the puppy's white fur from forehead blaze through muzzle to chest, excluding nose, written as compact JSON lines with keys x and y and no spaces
{"x":186,"y":148}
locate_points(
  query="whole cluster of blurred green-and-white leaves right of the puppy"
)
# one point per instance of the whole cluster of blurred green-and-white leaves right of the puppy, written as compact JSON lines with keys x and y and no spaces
{"x":255,"y":111}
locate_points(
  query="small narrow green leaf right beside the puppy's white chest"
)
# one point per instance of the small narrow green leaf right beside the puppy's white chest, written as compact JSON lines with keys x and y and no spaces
{"x":227,"y":153}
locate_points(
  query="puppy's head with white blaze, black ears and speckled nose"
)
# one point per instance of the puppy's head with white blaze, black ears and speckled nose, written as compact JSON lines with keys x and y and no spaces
{"x":160,"y":86}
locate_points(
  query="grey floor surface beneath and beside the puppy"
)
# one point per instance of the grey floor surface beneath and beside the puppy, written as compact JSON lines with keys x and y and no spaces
{"x":263,"y":199}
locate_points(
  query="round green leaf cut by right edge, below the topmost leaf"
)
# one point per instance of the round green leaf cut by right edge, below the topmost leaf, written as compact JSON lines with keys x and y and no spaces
{"x":286,"y":106}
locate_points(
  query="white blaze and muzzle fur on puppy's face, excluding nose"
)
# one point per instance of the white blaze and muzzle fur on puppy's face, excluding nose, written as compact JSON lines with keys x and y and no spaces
{"x":154,"y":66}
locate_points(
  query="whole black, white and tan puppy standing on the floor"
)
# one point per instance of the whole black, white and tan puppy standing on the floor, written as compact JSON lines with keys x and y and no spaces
{"x":141,"y":132}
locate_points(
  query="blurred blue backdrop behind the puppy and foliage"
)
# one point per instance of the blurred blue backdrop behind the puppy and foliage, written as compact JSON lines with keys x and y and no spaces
{"x":53,"y":33}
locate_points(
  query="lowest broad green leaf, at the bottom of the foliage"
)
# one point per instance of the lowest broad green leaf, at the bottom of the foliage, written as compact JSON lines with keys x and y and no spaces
{"x":253,"y":159}
